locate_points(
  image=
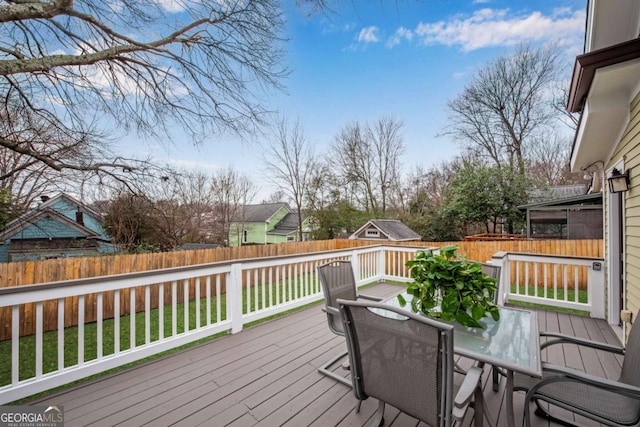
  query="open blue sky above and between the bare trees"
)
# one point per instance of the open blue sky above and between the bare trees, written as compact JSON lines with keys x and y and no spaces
{"x":401,"y":58}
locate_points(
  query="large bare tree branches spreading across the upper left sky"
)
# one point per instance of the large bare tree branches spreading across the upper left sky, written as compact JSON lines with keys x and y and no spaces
{"x":145,"y":66}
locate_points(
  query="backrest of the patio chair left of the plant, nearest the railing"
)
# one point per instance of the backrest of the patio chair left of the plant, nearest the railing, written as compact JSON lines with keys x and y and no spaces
{"x":338,"y":282}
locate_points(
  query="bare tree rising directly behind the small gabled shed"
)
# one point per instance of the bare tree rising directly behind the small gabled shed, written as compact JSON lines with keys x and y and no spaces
{"x":368,"y":159}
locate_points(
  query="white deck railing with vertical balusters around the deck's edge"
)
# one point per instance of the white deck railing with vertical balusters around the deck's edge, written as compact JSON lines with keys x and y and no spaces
{"x":77,"y":328}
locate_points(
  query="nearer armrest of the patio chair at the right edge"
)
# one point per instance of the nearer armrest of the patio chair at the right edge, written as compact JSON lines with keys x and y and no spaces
{"x":562,"y":373}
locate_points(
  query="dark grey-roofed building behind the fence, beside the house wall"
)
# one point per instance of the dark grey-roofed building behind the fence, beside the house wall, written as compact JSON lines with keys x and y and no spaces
{"x":564,"y":212}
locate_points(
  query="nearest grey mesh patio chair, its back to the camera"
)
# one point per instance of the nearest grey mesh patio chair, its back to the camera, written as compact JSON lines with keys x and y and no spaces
{"x":406,"y":360}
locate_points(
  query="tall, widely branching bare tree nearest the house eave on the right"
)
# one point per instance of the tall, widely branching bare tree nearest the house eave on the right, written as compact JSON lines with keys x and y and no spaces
{"x":505,"y":106}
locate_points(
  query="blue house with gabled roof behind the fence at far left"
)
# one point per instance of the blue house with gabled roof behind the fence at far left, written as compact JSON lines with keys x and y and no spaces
{"x":59,"y":227}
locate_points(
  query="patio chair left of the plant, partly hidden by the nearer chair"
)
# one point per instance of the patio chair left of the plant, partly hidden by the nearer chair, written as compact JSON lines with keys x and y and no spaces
{"x":337,"y":281}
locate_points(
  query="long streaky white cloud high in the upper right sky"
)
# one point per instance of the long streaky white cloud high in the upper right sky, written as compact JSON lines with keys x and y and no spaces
{"x":489,"y":28}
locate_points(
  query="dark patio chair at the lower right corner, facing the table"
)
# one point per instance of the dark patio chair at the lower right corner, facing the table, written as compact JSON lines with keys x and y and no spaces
{"x":609,"y":402}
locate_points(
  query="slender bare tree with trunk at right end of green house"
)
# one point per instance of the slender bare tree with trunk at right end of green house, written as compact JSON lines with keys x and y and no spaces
{"x":290,"y":161}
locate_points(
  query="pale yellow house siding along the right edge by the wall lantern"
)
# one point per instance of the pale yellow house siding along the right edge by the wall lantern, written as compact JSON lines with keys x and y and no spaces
{"x":629,"y":150}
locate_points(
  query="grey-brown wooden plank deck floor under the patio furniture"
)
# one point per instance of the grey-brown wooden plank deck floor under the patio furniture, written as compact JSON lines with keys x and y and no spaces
{"x":267,"y":375}
